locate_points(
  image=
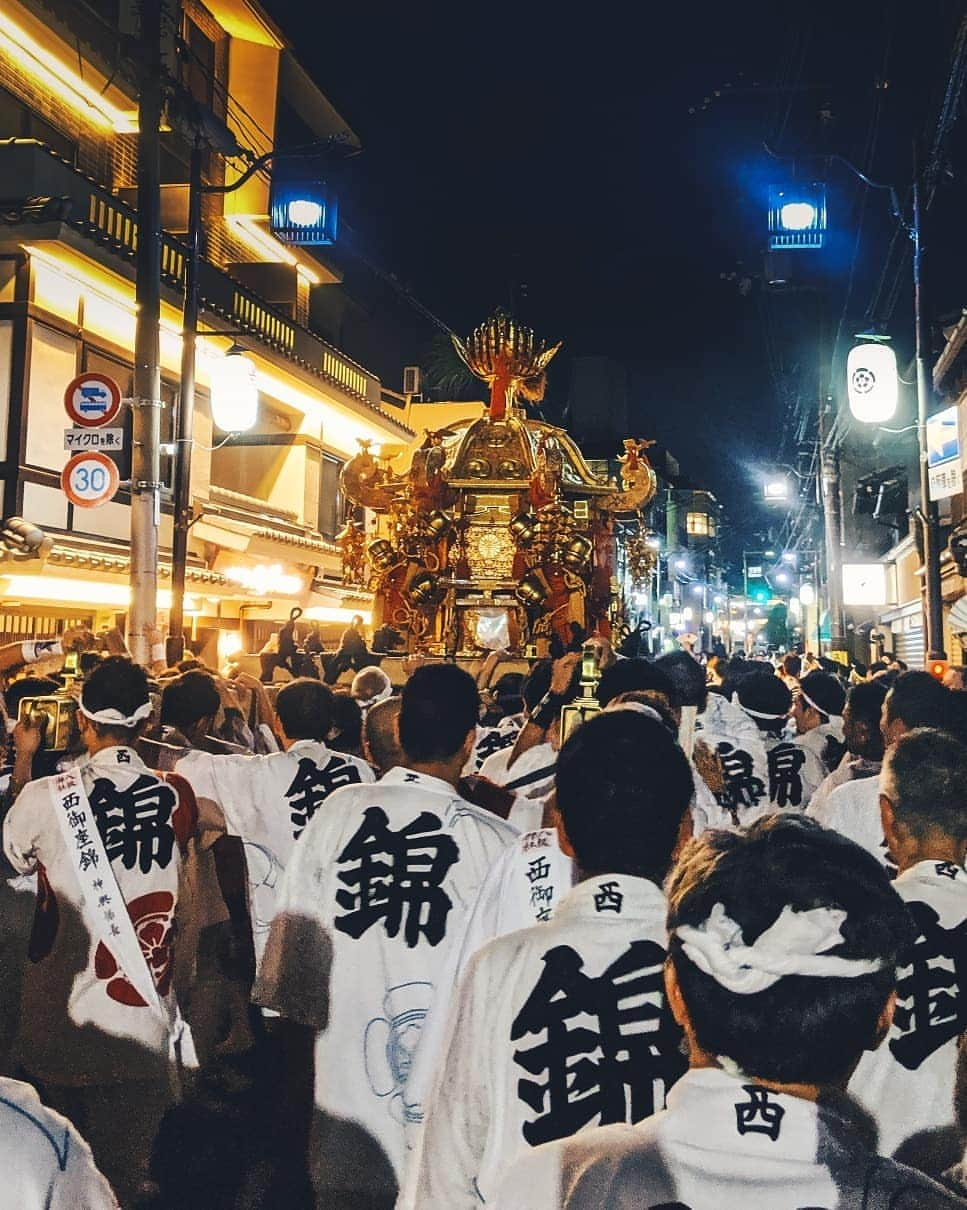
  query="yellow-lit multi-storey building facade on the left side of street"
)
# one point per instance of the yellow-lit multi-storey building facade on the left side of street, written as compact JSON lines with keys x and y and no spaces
{"x":267,"y":508}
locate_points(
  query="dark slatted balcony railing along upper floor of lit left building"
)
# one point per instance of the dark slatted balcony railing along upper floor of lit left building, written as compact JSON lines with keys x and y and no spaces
{"x":113,"y":224}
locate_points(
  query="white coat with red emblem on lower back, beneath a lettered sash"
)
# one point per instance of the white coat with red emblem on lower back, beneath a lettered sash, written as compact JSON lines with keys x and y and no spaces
{"x":83,"y":1022}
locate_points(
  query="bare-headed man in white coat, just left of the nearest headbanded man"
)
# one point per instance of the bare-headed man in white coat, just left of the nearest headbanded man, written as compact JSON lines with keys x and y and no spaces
{"x":580,"y":1035}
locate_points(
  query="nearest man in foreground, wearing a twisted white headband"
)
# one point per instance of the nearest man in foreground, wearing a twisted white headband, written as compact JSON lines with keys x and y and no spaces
{"x":784,"y":942}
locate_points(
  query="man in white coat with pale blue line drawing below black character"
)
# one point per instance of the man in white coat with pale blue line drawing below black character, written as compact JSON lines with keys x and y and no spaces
{"x":370,"y":907}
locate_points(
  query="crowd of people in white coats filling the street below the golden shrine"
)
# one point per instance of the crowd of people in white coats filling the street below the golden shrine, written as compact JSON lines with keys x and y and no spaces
{"x":359,"y":947}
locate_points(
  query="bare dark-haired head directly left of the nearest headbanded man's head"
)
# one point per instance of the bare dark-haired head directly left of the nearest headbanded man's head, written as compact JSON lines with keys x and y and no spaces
{"x":624,"y":787}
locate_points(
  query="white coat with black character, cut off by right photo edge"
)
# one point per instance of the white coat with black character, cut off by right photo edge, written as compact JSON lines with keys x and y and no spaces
{"x":908,"y":1084}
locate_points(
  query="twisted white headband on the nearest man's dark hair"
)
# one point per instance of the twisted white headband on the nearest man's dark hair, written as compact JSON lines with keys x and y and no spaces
{"x":795,"y":946}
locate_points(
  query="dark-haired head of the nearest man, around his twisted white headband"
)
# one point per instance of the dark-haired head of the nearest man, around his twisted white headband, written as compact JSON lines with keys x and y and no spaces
{"x":803,"y":1029}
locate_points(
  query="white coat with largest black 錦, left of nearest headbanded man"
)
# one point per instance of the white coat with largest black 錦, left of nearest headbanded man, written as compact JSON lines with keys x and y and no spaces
{"x":578,"y":1035}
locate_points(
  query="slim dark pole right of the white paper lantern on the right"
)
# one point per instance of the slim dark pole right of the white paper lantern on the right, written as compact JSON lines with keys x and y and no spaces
{"x":930,"y":521}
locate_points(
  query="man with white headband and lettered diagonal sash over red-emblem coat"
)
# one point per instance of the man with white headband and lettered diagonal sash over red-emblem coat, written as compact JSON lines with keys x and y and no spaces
{"x":101,"y":1032}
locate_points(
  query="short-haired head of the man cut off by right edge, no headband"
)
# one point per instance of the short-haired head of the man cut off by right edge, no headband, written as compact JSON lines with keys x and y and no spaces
{"x":924,"y":797}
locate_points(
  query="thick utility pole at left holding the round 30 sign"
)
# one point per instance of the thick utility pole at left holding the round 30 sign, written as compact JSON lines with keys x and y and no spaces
{"x":146,"y":470}
